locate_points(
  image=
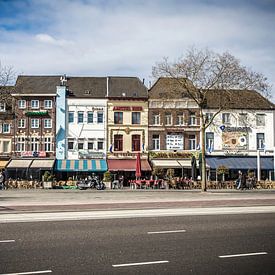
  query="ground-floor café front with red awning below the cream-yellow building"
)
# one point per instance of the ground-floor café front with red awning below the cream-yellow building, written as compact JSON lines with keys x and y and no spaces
{"x":127,"y":169}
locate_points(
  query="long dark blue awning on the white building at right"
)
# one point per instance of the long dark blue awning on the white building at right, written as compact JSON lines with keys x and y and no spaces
{"x":240,"y":163}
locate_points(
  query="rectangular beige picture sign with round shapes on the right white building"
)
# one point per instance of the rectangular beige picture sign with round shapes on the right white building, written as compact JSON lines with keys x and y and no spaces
{"x":234,"y":141}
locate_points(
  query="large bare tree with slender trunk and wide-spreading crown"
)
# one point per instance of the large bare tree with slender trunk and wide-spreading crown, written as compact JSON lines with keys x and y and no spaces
{"x":200,"y":72}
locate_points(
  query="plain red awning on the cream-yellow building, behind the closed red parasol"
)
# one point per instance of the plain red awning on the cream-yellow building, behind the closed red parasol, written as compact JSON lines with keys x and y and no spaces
{"x":127,"y":165}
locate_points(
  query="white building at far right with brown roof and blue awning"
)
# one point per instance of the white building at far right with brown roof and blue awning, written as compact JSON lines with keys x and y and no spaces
{"x":240,"y":133}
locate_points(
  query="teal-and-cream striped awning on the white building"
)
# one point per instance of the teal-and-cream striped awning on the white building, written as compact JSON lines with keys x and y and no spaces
{"x":82,"y":165}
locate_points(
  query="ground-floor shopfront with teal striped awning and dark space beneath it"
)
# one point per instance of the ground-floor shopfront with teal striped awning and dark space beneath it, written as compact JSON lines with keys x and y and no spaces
{"x":80,"y":168}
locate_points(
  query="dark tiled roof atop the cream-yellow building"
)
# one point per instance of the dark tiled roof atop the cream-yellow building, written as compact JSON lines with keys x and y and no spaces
{"x":126,"y":87}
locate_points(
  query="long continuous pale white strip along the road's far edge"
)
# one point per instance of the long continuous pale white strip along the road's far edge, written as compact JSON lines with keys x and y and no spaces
{"x":144,"y":213}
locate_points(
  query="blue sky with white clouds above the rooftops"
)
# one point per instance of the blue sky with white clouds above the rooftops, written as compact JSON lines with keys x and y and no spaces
{"x":126,"y":38}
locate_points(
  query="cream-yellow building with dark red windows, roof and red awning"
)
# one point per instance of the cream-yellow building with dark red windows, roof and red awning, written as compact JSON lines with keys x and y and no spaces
{"x":127,"y":126}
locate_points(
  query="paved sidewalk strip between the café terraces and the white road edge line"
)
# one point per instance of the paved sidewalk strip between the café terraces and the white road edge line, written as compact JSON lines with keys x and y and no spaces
{"x":18,"y":201}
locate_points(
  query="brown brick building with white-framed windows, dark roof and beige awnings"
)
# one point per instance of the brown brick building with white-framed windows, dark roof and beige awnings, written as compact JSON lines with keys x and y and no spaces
{"x":34,"y":126}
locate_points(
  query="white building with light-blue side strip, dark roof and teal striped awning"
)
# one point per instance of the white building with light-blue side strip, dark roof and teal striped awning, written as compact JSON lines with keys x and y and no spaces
{"x":82,"y":128}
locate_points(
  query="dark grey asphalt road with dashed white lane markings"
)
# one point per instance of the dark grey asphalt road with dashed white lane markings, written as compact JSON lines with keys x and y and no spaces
{"x":101,"y":246}
